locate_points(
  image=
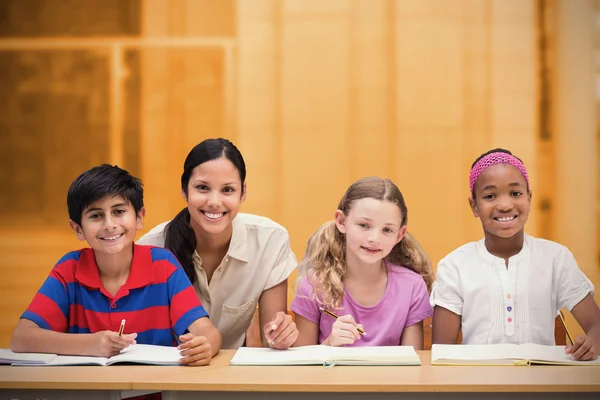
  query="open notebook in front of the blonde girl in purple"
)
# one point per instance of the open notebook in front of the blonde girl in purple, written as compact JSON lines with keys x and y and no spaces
{"x":327,"y":355}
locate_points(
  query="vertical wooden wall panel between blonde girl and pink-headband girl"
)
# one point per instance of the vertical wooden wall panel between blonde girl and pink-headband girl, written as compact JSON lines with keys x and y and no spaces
{"x":429,"y":118}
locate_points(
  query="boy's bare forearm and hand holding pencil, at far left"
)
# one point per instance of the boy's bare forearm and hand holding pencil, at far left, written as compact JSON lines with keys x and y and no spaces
{"x":28,"y":337}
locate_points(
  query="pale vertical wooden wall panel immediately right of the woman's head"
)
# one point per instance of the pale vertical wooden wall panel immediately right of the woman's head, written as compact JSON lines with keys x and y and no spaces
{"x":258,"y":104}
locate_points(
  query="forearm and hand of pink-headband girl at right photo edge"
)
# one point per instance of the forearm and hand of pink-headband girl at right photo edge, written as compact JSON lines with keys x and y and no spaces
{"x":586,"y":347}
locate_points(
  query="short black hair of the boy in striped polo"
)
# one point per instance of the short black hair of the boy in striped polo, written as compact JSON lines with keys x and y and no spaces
{"x":98,"y":182}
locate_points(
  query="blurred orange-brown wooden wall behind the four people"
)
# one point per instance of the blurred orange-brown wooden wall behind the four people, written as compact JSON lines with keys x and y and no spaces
{"x":316,"y":94}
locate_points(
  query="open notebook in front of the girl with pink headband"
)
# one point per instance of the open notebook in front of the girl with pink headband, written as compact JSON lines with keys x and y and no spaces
{"x":502,"y":354}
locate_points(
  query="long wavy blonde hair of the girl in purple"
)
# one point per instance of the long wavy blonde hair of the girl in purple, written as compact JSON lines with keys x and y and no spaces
{"x":324,"y":262}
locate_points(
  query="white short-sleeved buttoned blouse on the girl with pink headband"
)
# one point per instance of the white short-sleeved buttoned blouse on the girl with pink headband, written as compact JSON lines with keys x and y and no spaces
{"x":517,"y":304}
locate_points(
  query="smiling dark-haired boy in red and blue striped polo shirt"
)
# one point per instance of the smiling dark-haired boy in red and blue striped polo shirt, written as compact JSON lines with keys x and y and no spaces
{"x":81,"y":304}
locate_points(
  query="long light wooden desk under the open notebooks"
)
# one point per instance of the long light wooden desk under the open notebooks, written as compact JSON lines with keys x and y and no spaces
{"x":222,"y":381}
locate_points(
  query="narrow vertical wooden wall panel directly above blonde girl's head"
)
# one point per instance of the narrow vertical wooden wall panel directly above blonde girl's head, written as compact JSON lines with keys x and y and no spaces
{"x":371,"y":94}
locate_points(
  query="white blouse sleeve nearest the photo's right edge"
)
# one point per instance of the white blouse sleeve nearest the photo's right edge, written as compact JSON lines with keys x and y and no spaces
{"x":572,"y":283}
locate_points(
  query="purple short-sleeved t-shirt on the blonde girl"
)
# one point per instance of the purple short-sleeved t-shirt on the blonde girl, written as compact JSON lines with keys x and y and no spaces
{"x":404,"y":303}
